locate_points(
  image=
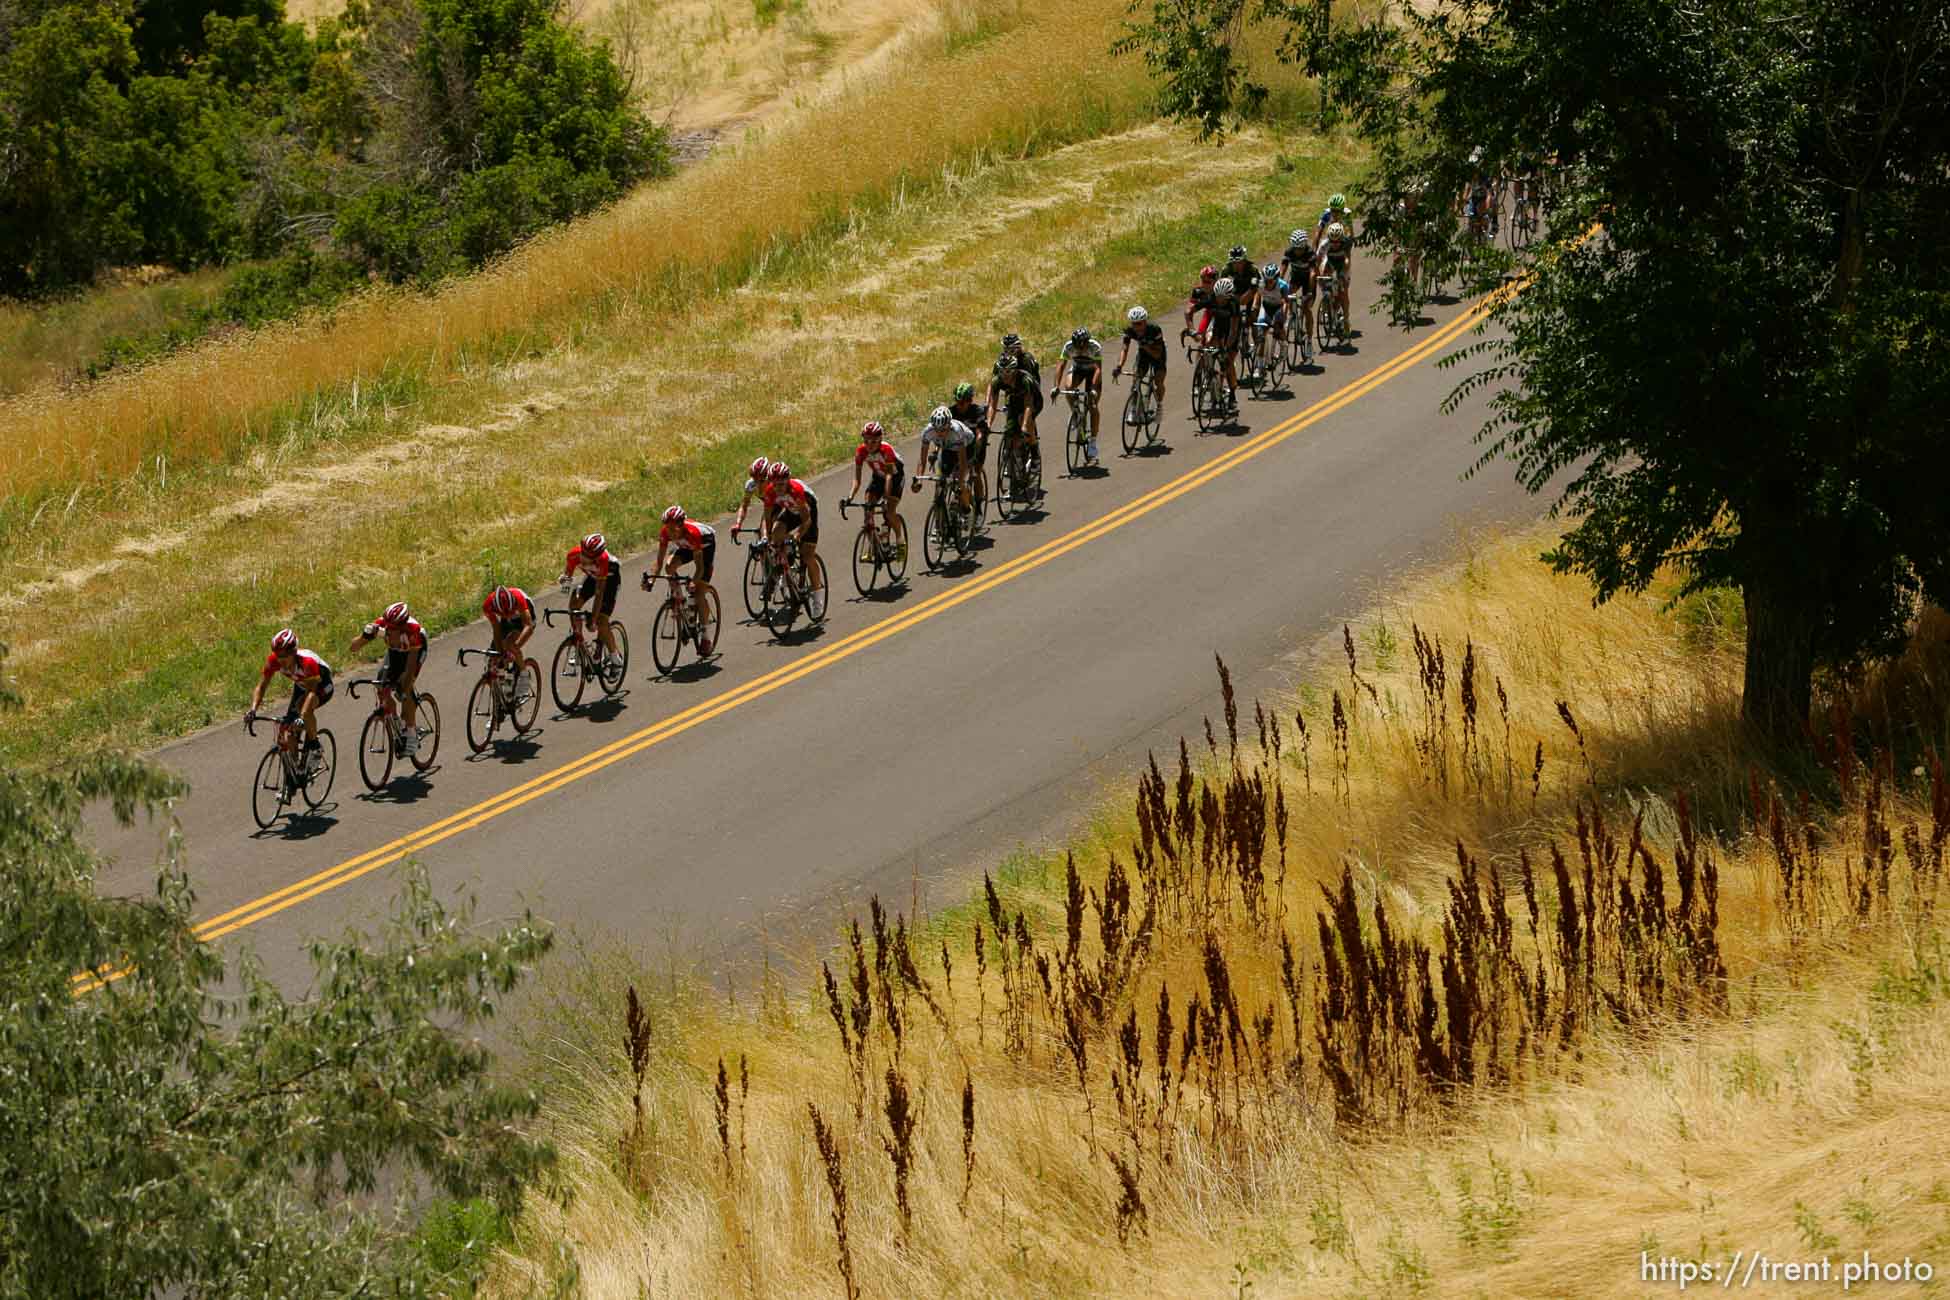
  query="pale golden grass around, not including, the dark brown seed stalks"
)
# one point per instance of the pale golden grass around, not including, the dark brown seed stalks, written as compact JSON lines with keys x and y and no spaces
{"x":1809,"y":1108}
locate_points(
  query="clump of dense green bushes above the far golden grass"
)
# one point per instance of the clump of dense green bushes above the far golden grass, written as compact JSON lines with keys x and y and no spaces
{"x":214,"y":130}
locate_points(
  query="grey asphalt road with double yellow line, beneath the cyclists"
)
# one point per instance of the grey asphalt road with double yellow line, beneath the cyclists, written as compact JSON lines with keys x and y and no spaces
{"x":910,"y":742}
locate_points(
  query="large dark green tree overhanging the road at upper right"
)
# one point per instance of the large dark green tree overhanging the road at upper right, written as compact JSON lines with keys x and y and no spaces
{"x":1744,"y":369}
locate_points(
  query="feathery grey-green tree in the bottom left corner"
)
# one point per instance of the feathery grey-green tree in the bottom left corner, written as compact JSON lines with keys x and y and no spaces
{"x":180,"y":1131}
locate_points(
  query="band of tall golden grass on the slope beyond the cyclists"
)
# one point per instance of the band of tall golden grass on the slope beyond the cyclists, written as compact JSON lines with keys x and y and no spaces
{"x":1044,"y":81}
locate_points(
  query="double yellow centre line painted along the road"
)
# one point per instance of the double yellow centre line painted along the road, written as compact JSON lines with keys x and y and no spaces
{"x":678,"y":724}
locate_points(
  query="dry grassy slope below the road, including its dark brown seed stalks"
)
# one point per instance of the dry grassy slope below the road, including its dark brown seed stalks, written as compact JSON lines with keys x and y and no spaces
{"x":1481,"y":966}
